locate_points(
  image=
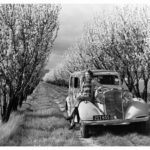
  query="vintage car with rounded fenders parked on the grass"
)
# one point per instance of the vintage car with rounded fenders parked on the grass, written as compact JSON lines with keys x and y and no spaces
{"x":111,"y":105}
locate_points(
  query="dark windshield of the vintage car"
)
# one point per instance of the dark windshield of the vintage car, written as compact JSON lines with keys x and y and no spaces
{"x":107,"y":79}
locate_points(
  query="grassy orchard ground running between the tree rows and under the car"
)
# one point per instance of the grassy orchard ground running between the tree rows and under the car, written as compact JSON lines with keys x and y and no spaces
{"x":41,"y":122}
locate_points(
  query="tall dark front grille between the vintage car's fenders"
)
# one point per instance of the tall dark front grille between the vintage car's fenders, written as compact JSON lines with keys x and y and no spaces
{"x":113,"y":103}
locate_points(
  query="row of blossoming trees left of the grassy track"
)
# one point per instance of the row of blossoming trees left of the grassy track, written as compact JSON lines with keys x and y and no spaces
{"x":27,"y":34}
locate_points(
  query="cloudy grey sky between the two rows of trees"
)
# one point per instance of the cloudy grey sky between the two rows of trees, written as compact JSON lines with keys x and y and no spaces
{"x":72,"y":19}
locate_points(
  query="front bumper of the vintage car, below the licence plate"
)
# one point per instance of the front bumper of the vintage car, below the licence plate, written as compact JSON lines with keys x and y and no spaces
{"x":115,"y":122}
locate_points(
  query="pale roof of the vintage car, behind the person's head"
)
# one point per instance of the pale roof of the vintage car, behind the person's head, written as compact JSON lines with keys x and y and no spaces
{"x":95,"y":72}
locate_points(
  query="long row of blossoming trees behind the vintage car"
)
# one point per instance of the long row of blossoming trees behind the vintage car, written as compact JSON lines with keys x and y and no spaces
{"x":119,"y":41}
